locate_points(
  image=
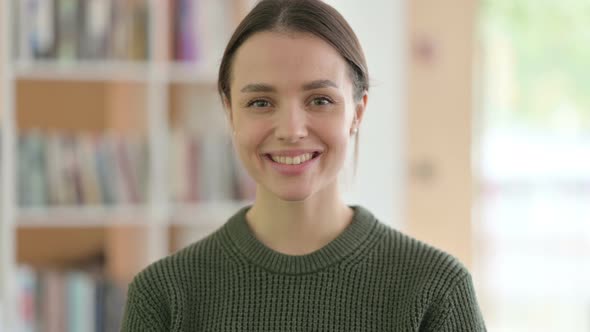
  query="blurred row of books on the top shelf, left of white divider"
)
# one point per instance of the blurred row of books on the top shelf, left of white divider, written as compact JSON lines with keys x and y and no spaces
{"x":82,"y":29}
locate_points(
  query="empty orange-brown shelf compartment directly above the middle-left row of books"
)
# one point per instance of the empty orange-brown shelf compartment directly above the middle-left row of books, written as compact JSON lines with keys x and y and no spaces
{"x":70,"y":106}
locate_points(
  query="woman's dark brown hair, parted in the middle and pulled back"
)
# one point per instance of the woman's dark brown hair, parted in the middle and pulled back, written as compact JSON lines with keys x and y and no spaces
{"x":310,"y":16}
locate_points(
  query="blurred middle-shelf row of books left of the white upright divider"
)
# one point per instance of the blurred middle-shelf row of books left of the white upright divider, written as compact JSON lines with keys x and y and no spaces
{"x":78,"y":169}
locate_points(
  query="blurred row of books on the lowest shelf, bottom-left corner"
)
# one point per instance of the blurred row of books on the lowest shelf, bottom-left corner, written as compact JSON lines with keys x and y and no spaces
{"x":76,"y":300}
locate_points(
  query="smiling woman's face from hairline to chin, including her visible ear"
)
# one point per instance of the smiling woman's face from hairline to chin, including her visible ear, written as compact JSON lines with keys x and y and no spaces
{"x":292,"y":113}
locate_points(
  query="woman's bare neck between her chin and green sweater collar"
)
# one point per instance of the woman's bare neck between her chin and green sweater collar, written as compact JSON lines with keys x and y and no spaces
{"x":298,"y":227}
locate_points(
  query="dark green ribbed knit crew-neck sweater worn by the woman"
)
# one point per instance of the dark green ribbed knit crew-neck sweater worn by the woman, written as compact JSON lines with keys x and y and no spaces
{"x":370,"y":278}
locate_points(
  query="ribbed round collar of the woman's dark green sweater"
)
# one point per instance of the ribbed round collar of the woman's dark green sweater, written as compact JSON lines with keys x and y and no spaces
{"x":352,"y":239}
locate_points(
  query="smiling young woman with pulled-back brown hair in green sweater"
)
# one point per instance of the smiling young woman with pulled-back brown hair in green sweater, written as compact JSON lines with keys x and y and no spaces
{"x":294,"y":83}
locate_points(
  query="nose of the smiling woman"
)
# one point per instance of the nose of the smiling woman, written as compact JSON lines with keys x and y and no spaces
{"x":291,"y":124}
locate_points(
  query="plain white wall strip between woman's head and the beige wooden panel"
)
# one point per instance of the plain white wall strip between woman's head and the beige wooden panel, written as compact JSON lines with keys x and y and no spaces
{"x":380,"y":181}
